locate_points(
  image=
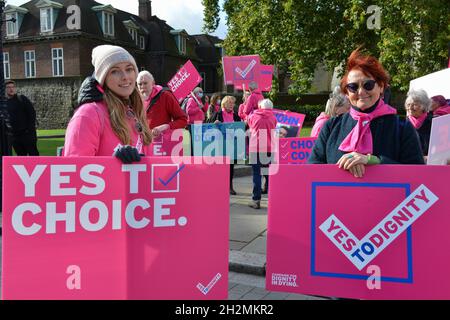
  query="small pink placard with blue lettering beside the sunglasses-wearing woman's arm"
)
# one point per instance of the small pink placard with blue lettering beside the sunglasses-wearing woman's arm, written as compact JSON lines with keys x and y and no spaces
{"x":295,"y":150}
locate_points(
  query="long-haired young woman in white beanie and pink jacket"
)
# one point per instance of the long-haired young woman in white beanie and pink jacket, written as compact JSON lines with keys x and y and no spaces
{"x":115,"y":124}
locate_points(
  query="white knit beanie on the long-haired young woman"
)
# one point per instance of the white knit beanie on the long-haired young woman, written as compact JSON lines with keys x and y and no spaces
{"x":104,"y":57}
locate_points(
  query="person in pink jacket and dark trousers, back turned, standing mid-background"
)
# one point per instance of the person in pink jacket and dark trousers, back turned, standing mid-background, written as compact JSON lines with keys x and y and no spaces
{"x":262,"y":123}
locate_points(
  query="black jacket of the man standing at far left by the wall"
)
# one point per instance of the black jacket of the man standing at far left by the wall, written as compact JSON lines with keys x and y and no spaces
{"x":22,"y":116}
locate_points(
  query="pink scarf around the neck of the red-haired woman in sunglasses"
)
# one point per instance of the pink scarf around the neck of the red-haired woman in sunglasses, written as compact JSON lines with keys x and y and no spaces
{"x":360,"y":138}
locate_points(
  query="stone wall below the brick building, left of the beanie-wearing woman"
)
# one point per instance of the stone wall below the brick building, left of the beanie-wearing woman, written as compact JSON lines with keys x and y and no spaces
{"x":54,"y":99}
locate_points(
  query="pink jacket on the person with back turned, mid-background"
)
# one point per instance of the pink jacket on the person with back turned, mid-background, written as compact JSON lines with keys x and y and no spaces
{"x":259,"y":121}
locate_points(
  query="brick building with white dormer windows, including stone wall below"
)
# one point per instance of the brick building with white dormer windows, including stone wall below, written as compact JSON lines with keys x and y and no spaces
{"x":48,"y":49}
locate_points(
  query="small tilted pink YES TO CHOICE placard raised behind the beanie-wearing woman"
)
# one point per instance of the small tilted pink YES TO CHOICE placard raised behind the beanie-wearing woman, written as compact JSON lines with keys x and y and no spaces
{"x":184,"y":81}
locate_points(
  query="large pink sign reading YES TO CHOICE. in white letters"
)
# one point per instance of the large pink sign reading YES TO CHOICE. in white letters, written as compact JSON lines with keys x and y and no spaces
{"x":93,"y":228}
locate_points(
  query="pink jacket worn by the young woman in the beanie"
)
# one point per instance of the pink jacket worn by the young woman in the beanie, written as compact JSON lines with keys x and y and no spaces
{"x":89,"y":132}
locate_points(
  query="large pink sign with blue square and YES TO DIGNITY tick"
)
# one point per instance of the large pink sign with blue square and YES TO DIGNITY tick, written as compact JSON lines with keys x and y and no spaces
{"x":381,"y":237}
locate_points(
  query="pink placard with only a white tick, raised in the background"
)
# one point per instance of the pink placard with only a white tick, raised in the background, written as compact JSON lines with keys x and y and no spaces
{"x":241,"y":70}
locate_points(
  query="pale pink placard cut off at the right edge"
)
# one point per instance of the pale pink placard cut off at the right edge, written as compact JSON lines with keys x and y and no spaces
{"x":439,"y":147}
